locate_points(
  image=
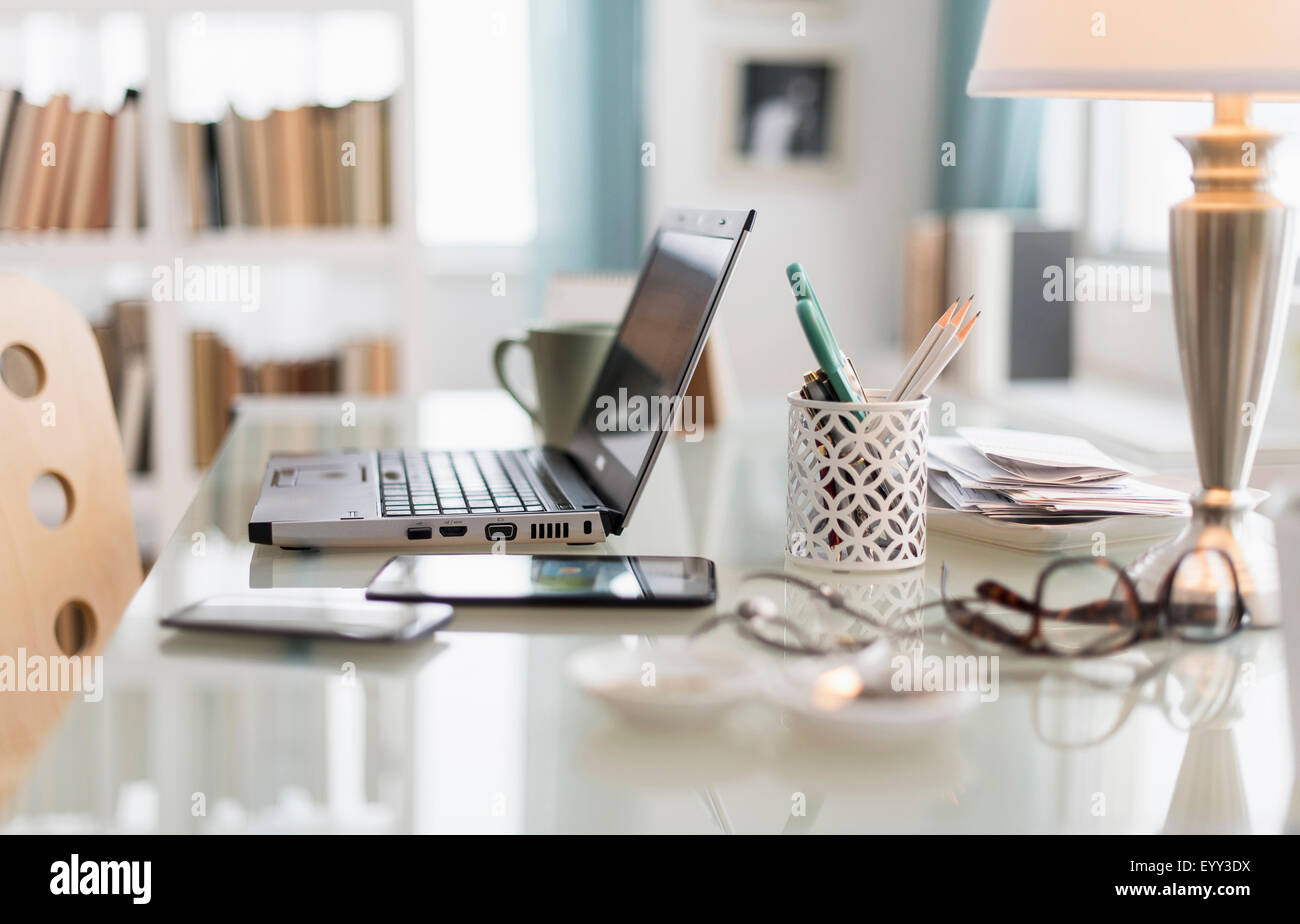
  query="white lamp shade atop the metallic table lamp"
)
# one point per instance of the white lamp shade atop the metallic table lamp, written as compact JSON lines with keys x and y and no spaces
{"x":1139,"y":49}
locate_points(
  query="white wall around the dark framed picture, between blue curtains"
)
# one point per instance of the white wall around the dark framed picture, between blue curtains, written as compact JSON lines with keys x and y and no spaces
{"x":847,"y":233}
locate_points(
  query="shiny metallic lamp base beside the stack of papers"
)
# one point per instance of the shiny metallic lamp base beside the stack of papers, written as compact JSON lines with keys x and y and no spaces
{"x":1233,"y":266}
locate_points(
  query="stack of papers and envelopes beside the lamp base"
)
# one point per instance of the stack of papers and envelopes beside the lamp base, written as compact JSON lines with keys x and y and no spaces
{"x":1038,"y":478}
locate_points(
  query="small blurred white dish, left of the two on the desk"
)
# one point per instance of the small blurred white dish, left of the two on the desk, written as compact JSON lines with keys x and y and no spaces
{"x":671,"y":683}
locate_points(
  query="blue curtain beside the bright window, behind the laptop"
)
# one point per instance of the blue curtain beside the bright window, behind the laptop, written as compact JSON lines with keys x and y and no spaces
{"x":587,"y":59}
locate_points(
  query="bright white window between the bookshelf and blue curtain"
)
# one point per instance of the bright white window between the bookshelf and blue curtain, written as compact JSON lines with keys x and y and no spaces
{"x":474,"y":115}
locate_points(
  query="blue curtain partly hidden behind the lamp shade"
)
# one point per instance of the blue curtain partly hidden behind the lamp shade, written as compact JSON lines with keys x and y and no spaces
{"x":998,"y":140}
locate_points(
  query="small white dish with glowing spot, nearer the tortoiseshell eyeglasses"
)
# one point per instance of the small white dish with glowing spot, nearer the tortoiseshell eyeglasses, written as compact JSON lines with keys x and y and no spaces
{"x":825,"y":699}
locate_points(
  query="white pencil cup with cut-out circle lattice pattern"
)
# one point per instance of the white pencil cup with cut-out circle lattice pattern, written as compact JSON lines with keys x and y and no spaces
{"x":856,"y":488}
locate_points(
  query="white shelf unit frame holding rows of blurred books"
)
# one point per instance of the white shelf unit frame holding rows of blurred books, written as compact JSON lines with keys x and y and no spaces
{"x":162,"y":497}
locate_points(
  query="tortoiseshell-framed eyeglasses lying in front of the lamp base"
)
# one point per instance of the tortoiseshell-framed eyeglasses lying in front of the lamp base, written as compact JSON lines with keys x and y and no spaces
{"x":1128,"y":618}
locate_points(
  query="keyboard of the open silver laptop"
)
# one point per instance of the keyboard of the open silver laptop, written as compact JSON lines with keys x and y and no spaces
{"x":426,"y":484}
